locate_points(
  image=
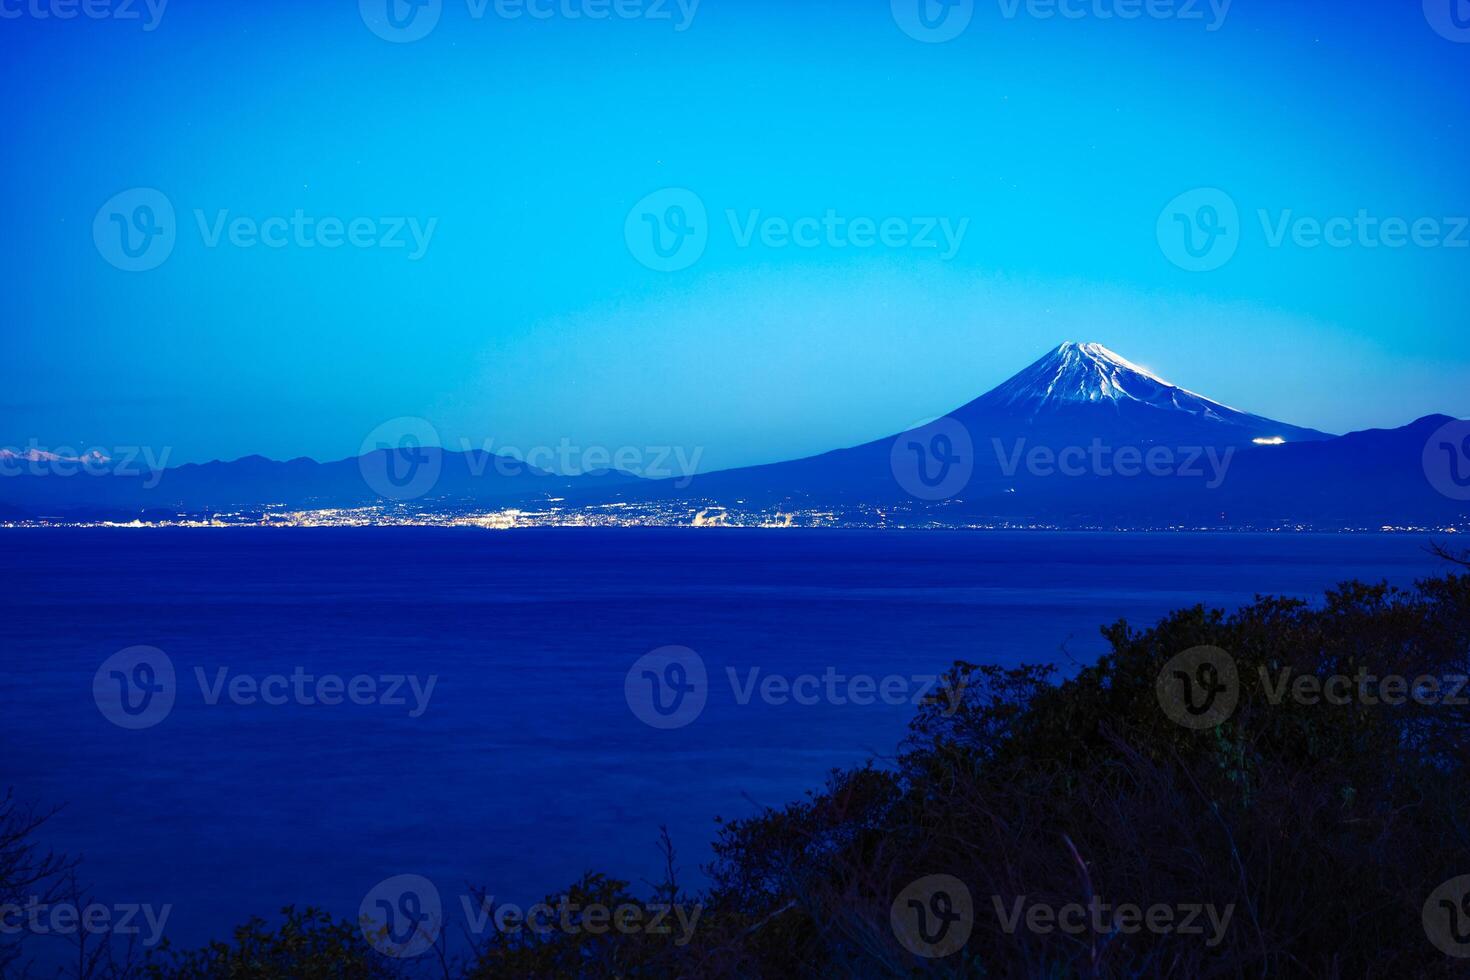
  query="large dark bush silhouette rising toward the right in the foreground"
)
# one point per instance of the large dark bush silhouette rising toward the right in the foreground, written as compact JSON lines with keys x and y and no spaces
{"x":1324,"y":826}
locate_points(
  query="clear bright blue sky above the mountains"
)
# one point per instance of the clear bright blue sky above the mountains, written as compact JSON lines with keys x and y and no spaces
{"x":523,"y":145}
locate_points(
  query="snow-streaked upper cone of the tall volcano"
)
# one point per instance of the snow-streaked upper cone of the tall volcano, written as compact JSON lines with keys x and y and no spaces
{"x":1075,"y":378}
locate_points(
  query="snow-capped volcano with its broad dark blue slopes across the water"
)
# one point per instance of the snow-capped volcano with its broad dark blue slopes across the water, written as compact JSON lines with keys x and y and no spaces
{"x":1086,"y":437}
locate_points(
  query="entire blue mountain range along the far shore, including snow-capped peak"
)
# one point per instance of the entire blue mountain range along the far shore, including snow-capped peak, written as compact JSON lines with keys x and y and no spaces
{"x":1083,"y":437}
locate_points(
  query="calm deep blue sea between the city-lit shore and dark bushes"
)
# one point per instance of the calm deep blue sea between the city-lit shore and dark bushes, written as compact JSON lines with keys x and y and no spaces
{"x":528,"y":768}
